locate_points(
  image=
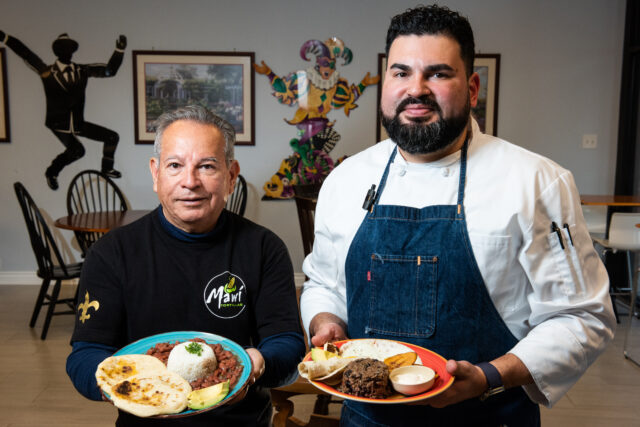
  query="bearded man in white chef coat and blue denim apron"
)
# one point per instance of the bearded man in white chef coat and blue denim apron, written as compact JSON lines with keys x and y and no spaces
{"x":457,"y":247}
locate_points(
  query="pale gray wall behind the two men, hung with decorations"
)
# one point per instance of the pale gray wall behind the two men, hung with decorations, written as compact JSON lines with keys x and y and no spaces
{"x":559,"y":79}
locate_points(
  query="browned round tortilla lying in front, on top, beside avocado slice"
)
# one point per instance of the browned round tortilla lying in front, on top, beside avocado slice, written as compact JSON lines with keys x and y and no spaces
{"x":146,"y":396}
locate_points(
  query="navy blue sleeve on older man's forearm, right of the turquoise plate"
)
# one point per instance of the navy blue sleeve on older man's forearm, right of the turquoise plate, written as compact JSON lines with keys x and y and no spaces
{"x":282,"y":353}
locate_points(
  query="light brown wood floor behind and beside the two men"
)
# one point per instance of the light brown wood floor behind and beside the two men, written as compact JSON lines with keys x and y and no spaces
{"x":35,"y":389}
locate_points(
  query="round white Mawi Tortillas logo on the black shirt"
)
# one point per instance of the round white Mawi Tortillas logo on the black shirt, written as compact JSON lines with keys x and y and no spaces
{"x":225,"y":295}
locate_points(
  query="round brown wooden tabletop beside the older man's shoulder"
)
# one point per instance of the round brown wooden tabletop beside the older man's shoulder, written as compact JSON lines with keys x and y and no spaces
{"x":99,"y":222}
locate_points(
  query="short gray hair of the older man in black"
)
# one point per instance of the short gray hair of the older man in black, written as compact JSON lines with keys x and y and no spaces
{"x":198,"y":114}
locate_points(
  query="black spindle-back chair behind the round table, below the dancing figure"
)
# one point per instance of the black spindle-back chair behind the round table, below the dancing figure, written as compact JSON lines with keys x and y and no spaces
{"x":93,"y":191}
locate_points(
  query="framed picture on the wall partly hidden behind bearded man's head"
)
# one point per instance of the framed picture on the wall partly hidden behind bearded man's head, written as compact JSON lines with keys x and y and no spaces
{"x":486,"y":112}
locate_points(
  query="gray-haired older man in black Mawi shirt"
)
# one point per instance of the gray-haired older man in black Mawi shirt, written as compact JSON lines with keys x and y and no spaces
{"x":158,"y":274}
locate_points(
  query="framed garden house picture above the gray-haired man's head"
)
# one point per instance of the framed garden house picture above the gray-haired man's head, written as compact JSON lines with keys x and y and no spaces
{"x":220,"y":81}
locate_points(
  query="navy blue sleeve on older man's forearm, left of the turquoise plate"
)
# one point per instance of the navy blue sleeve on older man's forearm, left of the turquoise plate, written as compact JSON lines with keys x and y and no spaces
{"x":82,"y":364}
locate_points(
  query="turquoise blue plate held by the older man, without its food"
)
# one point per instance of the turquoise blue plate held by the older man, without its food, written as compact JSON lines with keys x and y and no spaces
{"x":141,"y":346}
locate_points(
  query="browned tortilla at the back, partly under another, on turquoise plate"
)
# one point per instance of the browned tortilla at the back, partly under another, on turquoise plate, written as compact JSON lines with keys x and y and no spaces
{"x":116,"y":369}
